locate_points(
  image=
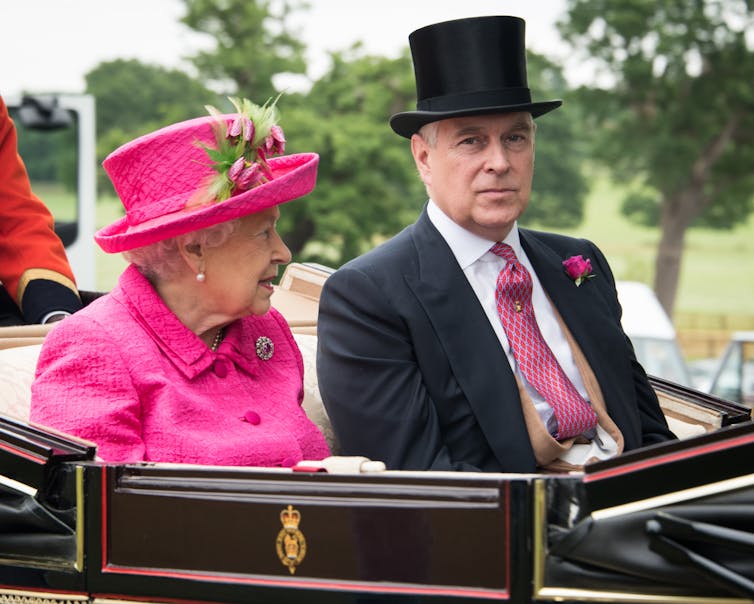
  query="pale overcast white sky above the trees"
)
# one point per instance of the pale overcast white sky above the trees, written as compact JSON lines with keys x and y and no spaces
{"x":49,"y":45}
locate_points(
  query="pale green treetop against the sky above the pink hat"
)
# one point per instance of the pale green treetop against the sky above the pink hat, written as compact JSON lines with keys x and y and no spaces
{"x":253,"y":43}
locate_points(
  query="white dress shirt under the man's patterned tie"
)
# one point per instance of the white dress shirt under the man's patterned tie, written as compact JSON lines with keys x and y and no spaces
{"x":482,"y":268}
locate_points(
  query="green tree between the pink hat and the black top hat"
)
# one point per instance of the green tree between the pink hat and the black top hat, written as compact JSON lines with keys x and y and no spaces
{"x":367,"y":187}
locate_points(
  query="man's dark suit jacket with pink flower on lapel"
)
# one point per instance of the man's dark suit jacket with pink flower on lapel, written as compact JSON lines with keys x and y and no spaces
{"x":411,"y":372}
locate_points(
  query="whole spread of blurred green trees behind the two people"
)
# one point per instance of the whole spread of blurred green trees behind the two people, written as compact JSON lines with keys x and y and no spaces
{"x":672,"y":121}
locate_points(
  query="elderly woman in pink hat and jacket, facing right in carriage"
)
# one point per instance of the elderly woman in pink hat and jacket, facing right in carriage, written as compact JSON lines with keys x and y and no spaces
{"x":185,"y":360}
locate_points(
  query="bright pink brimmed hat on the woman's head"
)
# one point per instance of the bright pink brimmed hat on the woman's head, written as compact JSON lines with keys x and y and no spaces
{"x":159,"y":176}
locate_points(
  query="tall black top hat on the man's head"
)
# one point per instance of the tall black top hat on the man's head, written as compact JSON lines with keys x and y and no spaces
{"x":469,"y":67}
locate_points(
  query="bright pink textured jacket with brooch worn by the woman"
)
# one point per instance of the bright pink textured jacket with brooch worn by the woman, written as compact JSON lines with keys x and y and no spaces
{"x":125,"y":373}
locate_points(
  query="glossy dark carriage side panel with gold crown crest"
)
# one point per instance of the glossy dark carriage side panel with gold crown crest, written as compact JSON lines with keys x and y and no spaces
{"x":239,"y":533}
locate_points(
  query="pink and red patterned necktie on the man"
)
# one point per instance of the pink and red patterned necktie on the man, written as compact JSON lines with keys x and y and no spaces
{"x":534,"y":357}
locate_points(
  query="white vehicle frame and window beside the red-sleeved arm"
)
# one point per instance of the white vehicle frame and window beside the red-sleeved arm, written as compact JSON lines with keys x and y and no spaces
{"x":57,"y":141}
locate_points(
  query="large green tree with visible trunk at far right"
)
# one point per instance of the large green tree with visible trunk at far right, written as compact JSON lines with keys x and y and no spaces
{"x":678,"y":120}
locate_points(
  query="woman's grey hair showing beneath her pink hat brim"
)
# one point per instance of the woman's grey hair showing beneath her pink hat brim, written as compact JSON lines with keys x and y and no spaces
{"x":162,"y":261}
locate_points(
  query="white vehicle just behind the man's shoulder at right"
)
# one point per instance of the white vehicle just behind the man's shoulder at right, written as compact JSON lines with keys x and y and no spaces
{"x":652,"y":333}
